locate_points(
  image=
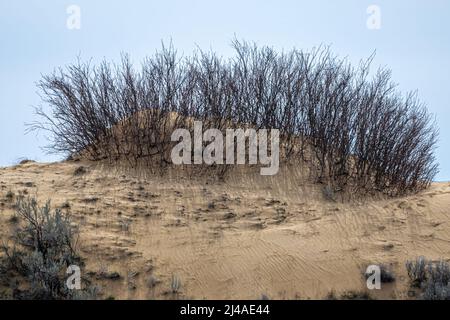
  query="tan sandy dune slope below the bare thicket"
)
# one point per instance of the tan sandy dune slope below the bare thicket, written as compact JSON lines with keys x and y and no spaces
{"x":242,"y":238}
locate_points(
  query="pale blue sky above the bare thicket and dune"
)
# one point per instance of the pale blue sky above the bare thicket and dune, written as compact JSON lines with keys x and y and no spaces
{"x":413,"y":41}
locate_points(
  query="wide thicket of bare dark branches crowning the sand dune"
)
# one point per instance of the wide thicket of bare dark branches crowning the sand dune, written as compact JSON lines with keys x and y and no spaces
{"x":354,"y":129}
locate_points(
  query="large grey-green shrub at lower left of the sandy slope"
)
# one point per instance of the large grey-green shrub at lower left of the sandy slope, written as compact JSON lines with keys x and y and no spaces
{"x":44,"y":245}
